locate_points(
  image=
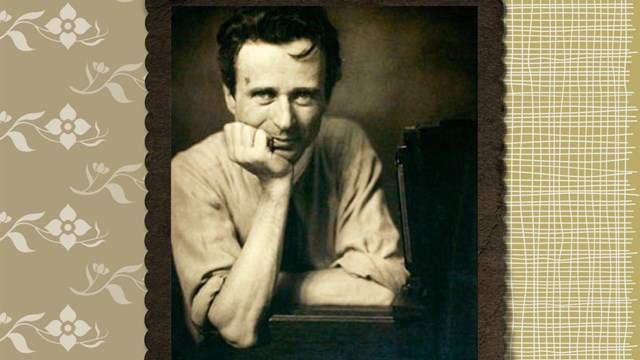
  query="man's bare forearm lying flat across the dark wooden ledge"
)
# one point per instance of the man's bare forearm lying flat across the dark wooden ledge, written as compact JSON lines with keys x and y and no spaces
{"x":331,"y":287}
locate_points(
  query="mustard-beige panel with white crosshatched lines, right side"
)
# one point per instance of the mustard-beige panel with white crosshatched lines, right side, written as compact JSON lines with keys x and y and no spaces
{"x":568,"y":193}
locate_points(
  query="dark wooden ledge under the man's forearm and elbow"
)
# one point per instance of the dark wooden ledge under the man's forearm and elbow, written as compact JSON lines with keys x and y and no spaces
{"x":345,"y":333}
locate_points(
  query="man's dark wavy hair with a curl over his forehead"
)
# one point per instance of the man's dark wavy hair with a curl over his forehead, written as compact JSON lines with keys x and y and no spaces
{"x":279,"y":25}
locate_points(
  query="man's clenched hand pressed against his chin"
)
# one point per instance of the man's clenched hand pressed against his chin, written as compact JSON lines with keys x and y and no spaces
{"x":248,"y":147}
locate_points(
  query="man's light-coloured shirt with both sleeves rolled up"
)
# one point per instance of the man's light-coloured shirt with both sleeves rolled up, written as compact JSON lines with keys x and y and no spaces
{"x":338,"y":199}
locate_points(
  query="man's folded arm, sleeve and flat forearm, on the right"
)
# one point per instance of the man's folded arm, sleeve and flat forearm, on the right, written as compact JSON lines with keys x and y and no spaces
{"x":369,"y":267}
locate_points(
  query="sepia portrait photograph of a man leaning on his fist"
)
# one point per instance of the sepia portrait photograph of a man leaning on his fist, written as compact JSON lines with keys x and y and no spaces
{"x":324,"y":197}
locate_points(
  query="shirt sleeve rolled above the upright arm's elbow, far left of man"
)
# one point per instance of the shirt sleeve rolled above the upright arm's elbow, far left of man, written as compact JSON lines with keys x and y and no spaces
{"x":203,"y":241}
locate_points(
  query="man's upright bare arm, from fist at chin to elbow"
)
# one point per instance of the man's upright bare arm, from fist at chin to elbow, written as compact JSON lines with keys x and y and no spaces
{"x":245,"y":297}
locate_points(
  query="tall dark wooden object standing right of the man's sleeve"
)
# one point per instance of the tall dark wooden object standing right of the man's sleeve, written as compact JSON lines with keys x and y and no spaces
{"x":437,"y":181}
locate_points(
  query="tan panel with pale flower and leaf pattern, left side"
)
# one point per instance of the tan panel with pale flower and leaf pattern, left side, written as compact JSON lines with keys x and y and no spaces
{"x":51,"y":132}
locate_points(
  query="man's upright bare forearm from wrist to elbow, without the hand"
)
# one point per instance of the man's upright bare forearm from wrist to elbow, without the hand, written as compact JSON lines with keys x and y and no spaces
{"x":246,"y":294}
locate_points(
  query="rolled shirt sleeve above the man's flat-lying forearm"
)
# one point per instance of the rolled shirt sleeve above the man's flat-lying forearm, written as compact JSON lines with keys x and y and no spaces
{"x":367,"y":241}
